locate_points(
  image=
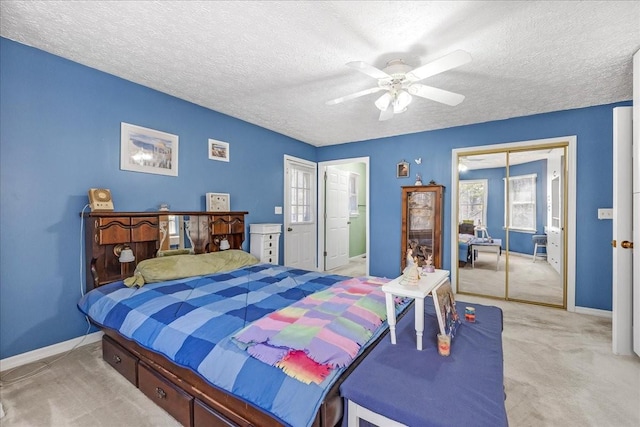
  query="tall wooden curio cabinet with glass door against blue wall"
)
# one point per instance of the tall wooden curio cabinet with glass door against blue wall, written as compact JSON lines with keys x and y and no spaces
{"x":422,"y":223}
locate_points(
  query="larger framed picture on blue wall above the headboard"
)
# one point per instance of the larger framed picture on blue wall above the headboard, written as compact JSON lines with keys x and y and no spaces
{"x":147,"y":150}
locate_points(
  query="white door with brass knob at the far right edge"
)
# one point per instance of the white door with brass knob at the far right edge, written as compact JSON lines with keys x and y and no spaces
{"x":622,"y":302}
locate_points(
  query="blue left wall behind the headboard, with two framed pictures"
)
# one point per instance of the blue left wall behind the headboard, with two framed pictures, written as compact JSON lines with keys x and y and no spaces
{"x":60,"y":136}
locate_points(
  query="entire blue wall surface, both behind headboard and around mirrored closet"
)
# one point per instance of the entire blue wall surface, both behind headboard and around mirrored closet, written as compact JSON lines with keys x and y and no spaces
{"x":60,"y":135}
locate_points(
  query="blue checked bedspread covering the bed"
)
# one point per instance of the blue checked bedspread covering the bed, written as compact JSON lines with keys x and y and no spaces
{"x":190,"y":321}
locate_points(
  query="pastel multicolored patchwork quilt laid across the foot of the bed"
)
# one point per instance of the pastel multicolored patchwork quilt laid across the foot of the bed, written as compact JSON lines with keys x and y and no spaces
{"x":321,"y":332}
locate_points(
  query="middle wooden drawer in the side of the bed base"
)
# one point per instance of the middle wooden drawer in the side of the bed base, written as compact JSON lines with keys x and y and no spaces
{"x":166,"y":395}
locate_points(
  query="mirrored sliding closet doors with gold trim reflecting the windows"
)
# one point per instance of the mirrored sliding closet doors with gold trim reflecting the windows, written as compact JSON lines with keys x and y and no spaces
{"x":513,"y":220}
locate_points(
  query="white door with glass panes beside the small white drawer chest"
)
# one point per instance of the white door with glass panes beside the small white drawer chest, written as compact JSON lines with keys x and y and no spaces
{"x":300,"y":188}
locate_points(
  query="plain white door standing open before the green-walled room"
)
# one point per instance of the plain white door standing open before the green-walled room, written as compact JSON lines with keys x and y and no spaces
{"x":336,"y":218}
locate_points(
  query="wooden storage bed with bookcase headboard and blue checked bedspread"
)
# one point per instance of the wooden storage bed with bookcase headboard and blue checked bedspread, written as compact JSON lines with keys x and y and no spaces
{"x":177,"y":339}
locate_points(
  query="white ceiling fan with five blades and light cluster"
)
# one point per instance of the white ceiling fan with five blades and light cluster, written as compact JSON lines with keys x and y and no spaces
{"x":400,"y":82}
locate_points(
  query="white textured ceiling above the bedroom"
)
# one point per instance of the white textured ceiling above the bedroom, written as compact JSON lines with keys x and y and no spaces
{"x":276,"y":63}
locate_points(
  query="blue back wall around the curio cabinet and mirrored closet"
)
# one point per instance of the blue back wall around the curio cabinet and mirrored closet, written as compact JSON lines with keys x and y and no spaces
{"x":593,"y":128}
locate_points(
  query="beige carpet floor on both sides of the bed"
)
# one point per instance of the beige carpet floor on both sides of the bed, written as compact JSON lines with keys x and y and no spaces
{"x":558,"y":366}
